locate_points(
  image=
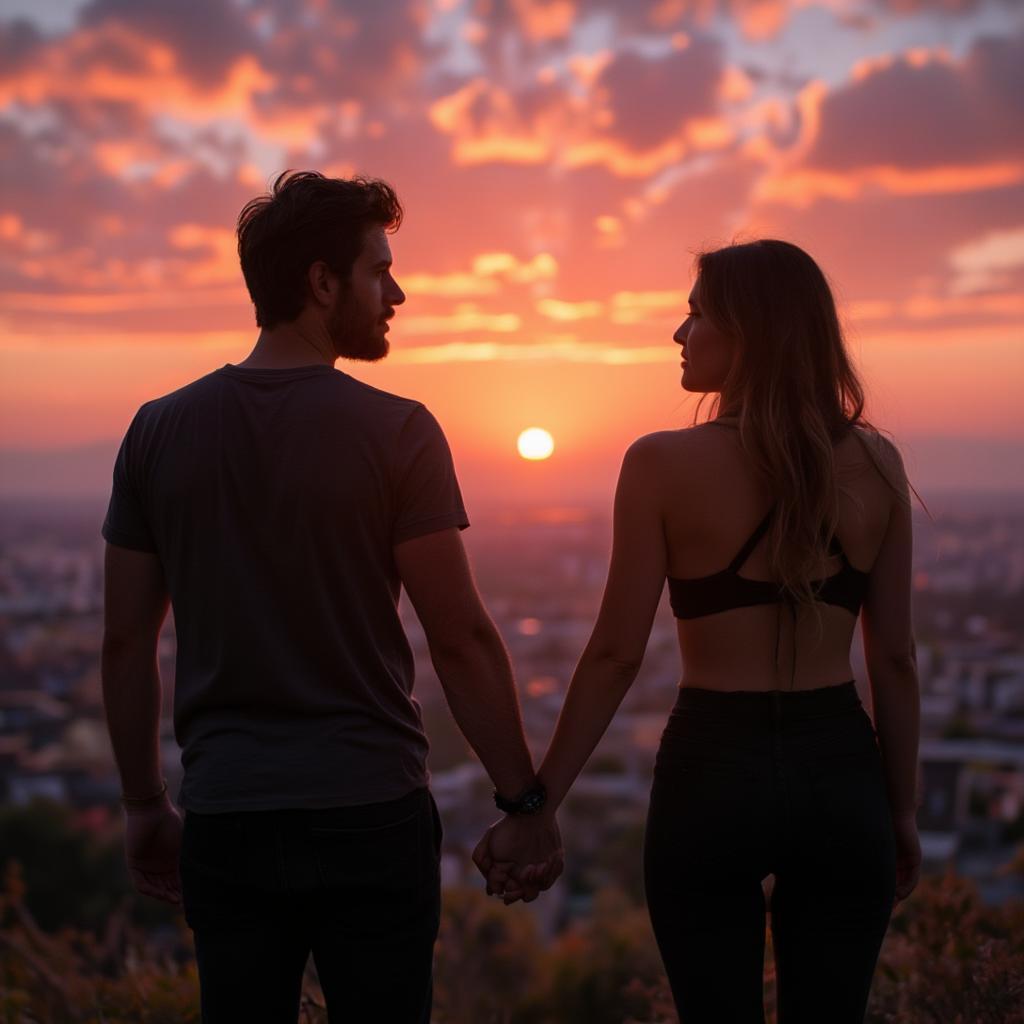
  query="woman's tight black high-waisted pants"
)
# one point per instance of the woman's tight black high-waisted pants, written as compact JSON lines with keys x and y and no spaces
{"x":751,"y":784}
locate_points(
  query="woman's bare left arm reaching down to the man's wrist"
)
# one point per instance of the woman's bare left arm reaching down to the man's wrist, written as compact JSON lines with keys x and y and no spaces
{"x":613,"y":658}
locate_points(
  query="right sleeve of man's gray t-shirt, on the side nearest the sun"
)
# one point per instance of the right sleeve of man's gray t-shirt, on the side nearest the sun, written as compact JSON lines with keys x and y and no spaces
{"x":429,"y":495}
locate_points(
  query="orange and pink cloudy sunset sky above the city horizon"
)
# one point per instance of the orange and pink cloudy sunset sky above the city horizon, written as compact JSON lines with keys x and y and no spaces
{"x":561,"y":162}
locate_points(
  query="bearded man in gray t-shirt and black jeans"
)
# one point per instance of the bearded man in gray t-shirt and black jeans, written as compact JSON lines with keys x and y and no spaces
{"x":279,"y":506}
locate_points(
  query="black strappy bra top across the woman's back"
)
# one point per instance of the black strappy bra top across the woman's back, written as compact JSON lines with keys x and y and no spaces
{"x":728,"y":589}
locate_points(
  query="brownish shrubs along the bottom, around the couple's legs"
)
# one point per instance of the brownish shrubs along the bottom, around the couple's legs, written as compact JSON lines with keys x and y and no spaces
{"x":948,"y":959}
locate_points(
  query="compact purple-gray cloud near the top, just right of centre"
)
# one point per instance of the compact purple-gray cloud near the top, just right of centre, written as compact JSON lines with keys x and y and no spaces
{"x":651,"y":99}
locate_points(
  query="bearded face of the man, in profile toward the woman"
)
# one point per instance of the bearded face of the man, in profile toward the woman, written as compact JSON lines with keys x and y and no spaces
{"x":359,"y":321}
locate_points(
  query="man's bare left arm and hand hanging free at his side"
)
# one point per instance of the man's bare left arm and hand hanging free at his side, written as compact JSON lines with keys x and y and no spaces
{"x":136,"y":605}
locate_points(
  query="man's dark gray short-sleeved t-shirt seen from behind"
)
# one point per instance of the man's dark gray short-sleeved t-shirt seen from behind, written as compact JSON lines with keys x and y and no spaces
{"x":274,"y":499}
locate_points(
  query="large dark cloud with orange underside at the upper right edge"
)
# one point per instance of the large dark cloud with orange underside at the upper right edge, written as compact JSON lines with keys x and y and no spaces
{"x":916,"y":116}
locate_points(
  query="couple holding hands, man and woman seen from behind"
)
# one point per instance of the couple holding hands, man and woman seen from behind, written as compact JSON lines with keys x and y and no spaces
{"x":280,"y":506}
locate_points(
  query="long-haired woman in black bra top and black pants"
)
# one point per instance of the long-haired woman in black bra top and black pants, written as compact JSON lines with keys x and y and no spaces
{"x":776,"y":524}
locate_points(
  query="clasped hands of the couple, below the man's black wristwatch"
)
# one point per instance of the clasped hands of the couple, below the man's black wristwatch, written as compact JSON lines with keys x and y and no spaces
{"x":521,"y":857}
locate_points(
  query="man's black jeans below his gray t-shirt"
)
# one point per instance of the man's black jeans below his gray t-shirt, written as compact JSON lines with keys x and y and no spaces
{"x":359,"y":887}
